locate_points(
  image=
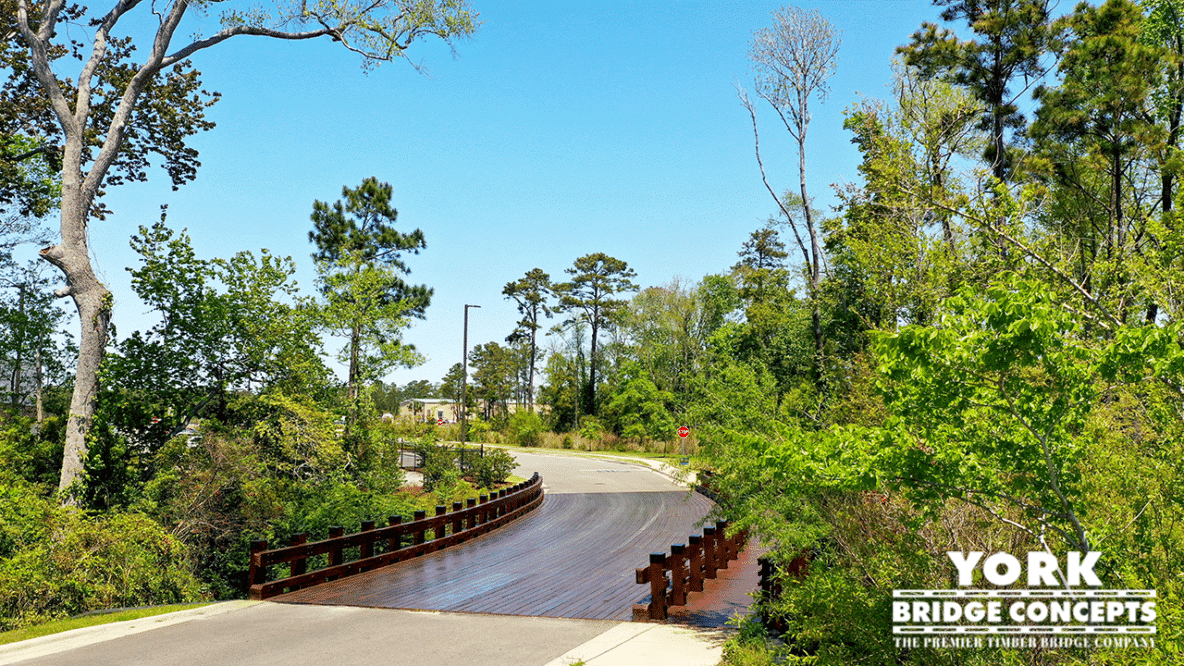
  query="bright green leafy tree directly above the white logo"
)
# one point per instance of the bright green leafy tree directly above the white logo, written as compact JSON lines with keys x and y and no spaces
{"x":993,"y":404}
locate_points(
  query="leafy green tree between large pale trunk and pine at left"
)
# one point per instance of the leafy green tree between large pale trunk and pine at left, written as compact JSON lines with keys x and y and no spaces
{"x":224,"y":332}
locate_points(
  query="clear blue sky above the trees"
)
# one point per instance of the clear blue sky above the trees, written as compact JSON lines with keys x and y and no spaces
{"x":561,"y":130}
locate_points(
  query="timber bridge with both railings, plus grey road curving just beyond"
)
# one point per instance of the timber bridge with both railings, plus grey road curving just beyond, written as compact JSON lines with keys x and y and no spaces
{"x":584,"y":539}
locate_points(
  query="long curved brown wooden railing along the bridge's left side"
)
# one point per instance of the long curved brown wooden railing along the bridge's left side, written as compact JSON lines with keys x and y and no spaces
{"x":446,"y":529}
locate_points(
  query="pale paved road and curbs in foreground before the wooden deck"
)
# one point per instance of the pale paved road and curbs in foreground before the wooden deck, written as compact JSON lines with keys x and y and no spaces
{"x":262,"y":633}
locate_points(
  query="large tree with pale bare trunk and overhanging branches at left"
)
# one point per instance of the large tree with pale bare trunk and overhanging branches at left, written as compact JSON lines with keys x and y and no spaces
{"x":117,"y":112}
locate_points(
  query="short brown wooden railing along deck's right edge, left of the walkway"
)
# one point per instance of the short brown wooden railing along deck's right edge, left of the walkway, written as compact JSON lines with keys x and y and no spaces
{"x":690,"y":566}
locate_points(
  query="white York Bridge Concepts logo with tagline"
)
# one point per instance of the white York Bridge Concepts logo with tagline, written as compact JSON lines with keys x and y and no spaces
{"x":1051,"y":613}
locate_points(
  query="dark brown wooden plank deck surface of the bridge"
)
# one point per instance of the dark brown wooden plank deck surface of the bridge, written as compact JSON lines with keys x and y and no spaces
{"x":572,"y":558}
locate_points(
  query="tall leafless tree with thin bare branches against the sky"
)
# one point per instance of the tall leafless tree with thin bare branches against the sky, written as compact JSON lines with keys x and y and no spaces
{"x":792,"y":62}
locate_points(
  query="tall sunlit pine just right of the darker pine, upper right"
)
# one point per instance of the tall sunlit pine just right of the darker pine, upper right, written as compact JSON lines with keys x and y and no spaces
{"x":1101,"y":118}
